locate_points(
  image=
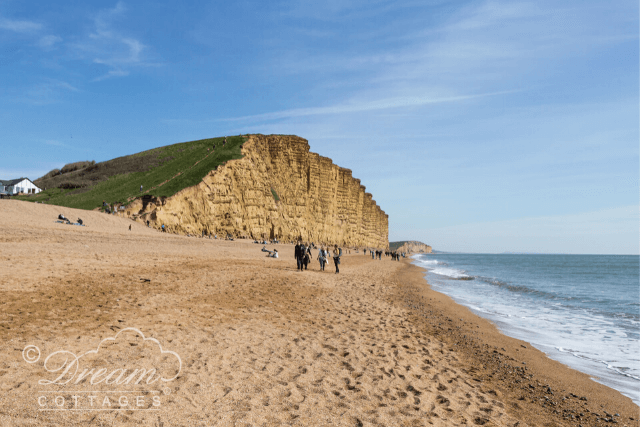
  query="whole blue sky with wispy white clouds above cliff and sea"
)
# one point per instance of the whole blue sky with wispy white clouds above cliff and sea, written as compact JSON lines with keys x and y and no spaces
{"x":482,"y":126}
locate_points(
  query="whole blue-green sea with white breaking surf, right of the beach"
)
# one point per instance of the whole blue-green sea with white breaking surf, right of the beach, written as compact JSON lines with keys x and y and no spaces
{"x":581,"y":310}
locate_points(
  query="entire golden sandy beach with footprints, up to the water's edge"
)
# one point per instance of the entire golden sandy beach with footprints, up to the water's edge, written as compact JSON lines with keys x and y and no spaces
{"x":259,"y":343}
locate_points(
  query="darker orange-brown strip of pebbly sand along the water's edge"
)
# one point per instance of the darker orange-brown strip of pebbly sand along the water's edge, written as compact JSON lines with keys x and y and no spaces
{"x":539,"y":388}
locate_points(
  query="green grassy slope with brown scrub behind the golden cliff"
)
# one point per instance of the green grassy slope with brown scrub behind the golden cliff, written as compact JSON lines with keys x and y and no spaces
{"x":161,"y":171}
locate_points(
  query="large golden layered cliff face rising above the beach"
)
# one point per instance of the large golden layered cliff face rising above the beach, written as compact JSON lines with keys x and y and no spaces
{"x":279,"y":189}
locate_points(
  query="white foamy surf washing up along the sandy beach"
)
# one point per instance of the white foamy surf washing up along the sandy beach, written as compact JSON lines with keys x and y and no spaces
{"x":587,"y":341}
